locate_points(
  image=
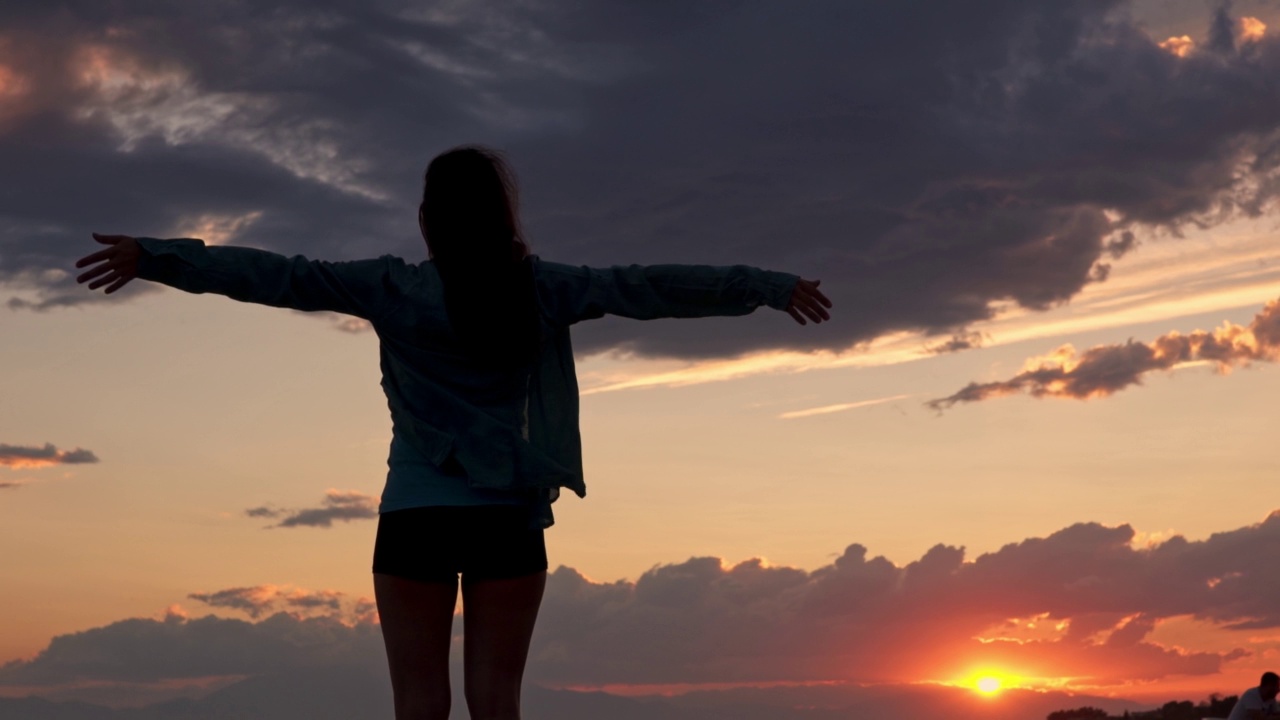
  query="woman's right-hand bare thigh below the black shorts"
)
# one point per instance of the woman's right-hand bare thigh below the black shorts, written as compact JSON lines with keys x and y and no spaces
{"x":499,"y":623}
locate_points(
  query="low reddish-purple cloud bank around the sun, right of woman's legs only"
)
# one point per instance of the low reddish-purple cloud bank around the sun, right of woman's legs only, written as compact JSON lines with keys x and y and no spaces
{"x":867,"y":619}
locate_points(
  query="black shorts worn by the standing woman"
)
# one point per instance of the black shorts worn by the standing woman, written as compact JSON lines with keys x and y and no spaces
{"x":483,"y":543}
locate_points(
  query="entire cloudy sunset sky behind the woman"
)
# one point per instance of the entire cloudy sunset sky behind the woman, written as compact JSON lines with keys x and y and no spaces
{"x":1031,"y":445}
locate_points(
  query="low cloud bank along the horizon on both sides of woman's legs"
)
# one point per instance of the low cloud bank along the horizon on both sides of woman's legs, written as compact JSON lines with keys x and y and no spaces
{"x":1084,"y":605}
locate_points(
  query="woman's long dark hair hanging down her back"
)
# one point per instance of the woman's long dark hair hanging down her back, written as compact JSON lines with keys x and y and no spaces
{"x":472,"y":225}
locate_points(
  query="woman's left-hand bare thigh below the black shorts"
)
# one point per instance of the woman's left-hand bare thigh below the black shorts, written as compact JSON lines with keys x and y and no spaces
{"x":418,"y":621}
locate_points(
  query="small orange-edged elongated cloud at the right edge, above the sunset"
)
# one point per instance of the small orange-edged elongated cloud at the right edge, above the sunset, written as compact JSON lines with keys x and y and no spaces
{"x":1107,"y":370}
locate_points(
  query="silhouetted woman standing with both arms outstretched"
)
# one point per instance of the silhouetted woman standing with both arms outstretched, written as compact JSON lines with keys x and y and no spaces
{"x":479,"y":379}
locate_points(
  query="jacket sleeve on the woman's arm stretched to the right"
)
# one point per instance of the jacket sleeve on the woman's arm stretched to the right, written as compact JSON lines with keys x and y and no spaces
{"x":573,"y":294}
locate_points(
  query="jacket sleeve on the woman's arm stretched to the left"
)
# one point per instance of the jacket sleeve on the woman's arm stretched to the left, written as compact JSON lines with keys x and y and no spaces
{"x":364,"y":288}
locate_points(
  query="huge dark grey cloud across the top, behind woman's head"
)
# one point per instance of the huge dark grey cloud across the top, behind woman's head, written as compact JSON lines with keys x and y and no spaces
{"x":924,"y":163}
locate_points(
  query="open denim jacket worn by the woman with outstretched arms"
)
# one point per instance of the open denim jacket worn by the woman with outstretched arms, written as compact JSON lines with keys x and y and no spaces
{"x":508,"y":430}
